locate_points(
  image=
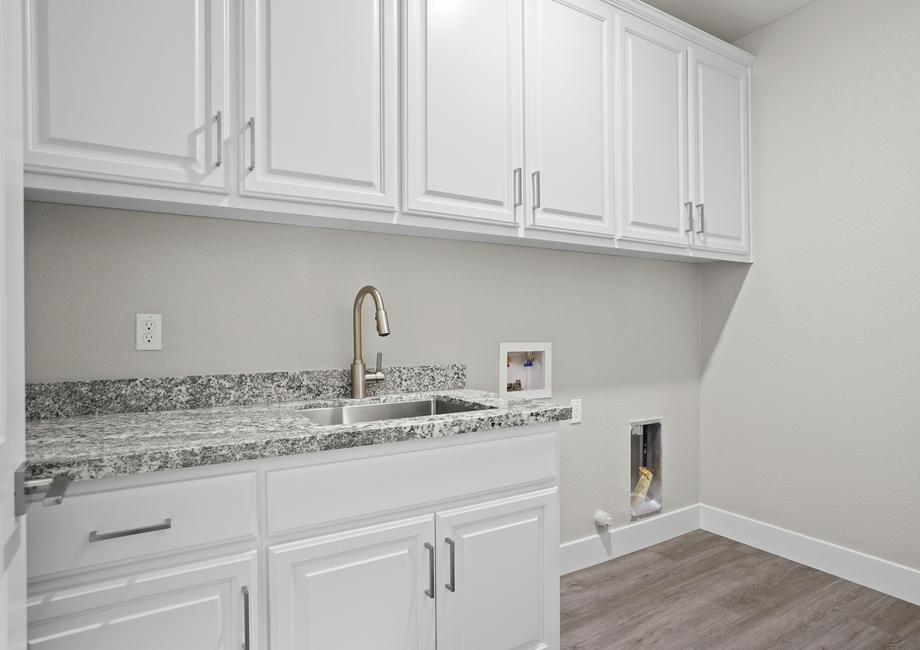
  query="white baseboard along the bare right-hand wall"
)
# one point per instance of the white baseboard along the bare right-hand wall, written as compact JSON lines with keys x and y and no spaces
{"x":870,"y":571}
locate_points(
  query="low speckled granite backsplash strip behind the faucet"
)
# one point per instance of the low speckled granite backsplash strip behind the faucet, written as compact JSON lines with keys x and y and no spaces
{"x":65,"y":399}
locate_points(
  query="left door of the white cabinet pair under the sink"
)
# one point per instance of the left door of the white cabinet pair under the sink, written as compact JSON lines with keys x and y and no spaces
{"x":364,"y":588}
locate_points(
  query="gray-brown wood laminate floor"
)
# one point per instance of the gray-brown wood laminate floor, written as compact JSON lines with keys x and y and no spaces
{"x":705,"y":591}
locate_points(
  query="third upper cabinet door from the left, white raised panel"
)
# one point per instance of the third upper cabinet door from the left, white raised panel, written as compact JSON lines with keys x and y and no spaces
{"x":464,"y":109}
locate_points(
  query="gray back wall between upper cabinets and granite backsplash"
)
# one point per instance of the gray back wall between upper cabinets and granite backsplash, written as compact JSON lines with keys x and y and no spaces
{"x":238,"y":296}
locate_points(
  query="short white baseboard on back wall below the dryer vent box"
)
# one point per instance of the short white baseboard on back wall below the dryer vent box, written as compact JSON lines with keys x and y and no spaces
{"x":606,"y":545}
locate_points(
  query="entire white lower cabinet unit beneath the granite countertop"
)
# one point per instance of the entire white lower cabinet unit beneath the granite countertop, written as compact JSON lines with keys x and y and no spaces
{"x":391,"y":547}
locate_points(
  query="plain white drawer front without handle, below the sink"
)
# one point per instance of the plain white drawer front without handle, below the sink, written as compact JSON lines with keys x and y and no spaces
{"x":331,"y":492}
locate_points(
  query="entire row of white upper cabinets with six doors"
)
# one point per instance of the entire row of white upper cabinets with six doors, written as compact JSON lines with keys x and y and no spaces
{"x":579,"y":123}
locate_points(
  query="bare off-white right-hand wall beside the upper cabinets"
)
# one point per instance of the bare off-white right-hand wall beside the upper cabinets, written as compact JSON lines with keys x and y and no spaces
{"x":810,"y":414}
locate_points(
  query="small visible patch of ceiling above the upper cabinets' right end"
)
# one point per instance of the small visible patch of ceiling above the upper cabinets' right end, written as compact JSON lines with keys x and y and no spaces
{"x":728,"y":19}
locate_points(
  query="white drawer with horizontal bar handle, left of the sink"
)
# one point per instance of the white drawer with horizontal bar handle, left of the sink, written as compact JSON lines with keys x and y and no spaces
{"x":137,"y":522}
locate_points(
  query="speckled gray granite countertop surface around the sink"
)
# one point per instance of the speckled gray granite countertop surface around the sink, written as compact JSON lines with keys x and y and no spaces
{"x":102,"y":446}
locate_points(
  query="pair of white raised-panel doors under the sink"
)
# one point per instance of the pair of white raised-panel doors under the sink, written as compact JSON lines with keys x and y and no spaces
{"x":485,"y":576}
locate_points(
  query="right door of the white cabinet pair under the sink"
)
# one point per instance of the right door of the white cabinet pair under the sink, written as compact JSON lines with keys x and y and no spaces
{"x":498,"y":574}
